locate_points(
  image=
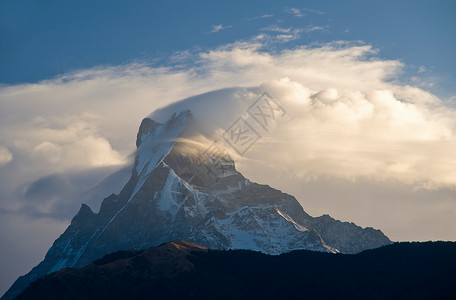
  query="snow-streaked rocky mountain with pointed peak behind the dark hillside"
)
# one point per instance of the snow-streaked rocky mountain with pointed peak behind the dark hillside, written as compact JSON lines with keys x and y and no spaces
{"x":182,"y":191}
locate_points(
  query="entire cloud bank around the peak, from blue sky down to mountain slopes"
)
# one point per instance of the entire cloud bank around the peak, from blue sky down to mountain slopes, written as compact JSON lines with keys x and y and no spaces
{"x":350,"y":127}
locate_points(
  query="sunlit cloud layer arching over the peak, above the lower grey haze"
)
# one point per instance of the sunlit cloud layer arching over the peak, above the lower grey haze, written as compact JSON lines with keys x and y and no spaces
{"x":89,"y":118}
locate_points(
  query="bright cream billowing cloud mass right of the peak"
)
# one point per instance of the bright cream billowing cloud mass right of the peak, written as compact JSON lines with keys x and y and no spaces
{"x":356,"y":134}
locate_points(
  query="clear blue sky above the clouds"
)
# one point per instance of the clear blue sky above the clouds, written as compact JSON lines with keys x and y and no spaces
{"x":42,"y":39}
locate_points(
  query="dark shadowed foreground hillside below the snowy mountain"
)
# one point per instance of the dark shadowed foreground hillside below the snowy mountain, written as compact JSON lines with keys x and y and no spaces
{"x":186,"y":271}
